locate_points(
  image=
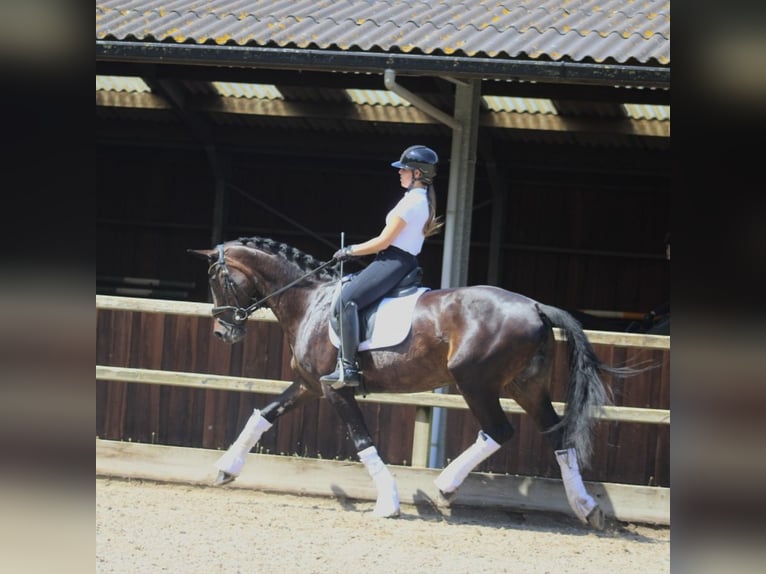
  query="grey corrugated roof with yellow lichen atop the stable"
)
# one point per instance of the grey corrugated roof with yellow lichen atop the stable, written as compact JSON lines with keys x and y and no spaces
{"x":552,"y":30}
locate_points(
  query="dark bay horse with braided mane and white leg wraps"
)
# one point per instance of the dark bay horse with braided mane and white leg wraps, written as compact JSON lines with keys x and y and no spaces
{"x":483,"y":339}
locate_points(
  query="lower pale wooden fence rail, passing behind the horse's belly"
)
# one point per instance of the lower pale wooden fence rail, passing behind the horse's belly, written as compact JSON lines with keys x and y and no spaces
{"x":270,"y":386}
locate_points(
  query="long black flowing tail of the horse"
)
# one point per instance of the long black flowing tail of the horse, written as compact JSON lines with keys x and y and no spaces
{"x":586,"y":393}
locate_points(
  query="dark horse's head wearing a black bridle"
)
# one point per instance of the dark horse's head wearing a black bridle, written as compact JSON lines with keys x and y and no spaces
{"x":230,"y":286}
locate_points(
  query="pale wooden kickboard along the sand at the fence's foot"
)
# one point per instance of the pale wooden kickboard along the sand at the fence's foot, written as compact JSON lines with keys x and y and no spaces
{"x":349,"y":479}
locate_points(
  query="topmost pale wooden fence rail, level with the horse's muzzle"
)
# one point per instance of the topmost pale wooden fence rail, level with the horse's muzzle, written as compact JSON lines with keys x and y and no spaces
{"x":115,"y":303}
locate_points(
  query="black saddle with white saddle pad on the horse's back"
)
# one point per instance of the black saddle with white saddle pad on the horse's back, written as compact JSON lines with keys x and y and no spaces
{"x":388,"y":322}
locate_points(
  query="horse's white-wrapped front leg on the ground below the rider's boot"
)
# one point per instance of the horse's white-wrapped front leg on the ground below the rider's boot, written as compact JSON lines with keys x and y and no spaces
{"x":344,"y":402}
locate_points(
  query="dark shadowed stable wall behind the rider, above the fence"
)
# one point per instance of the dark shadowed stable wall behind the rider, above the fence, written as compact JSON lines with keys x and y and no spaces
{"x":574,"y":233}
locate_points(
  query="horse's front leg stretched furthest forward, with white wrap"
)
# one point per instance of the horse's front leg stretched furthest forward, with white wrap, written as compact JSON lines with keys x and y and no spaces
{"x":230,"y":464}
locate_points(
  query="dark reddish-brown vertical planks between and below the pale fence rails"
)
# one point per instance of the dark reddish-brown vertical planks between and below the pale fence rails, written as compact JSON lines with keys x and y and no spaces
{"x":629,"y":453}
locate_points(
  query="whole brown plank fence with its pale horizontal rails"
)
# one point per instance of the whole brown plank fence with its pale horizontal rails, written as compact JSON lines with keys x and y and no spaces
{"x":162,"y":378}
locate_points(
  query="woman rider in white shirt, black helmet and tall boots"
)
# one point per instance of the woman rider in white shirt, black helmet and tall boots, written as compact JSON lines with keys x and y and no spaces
{"x":411,"y":220}
